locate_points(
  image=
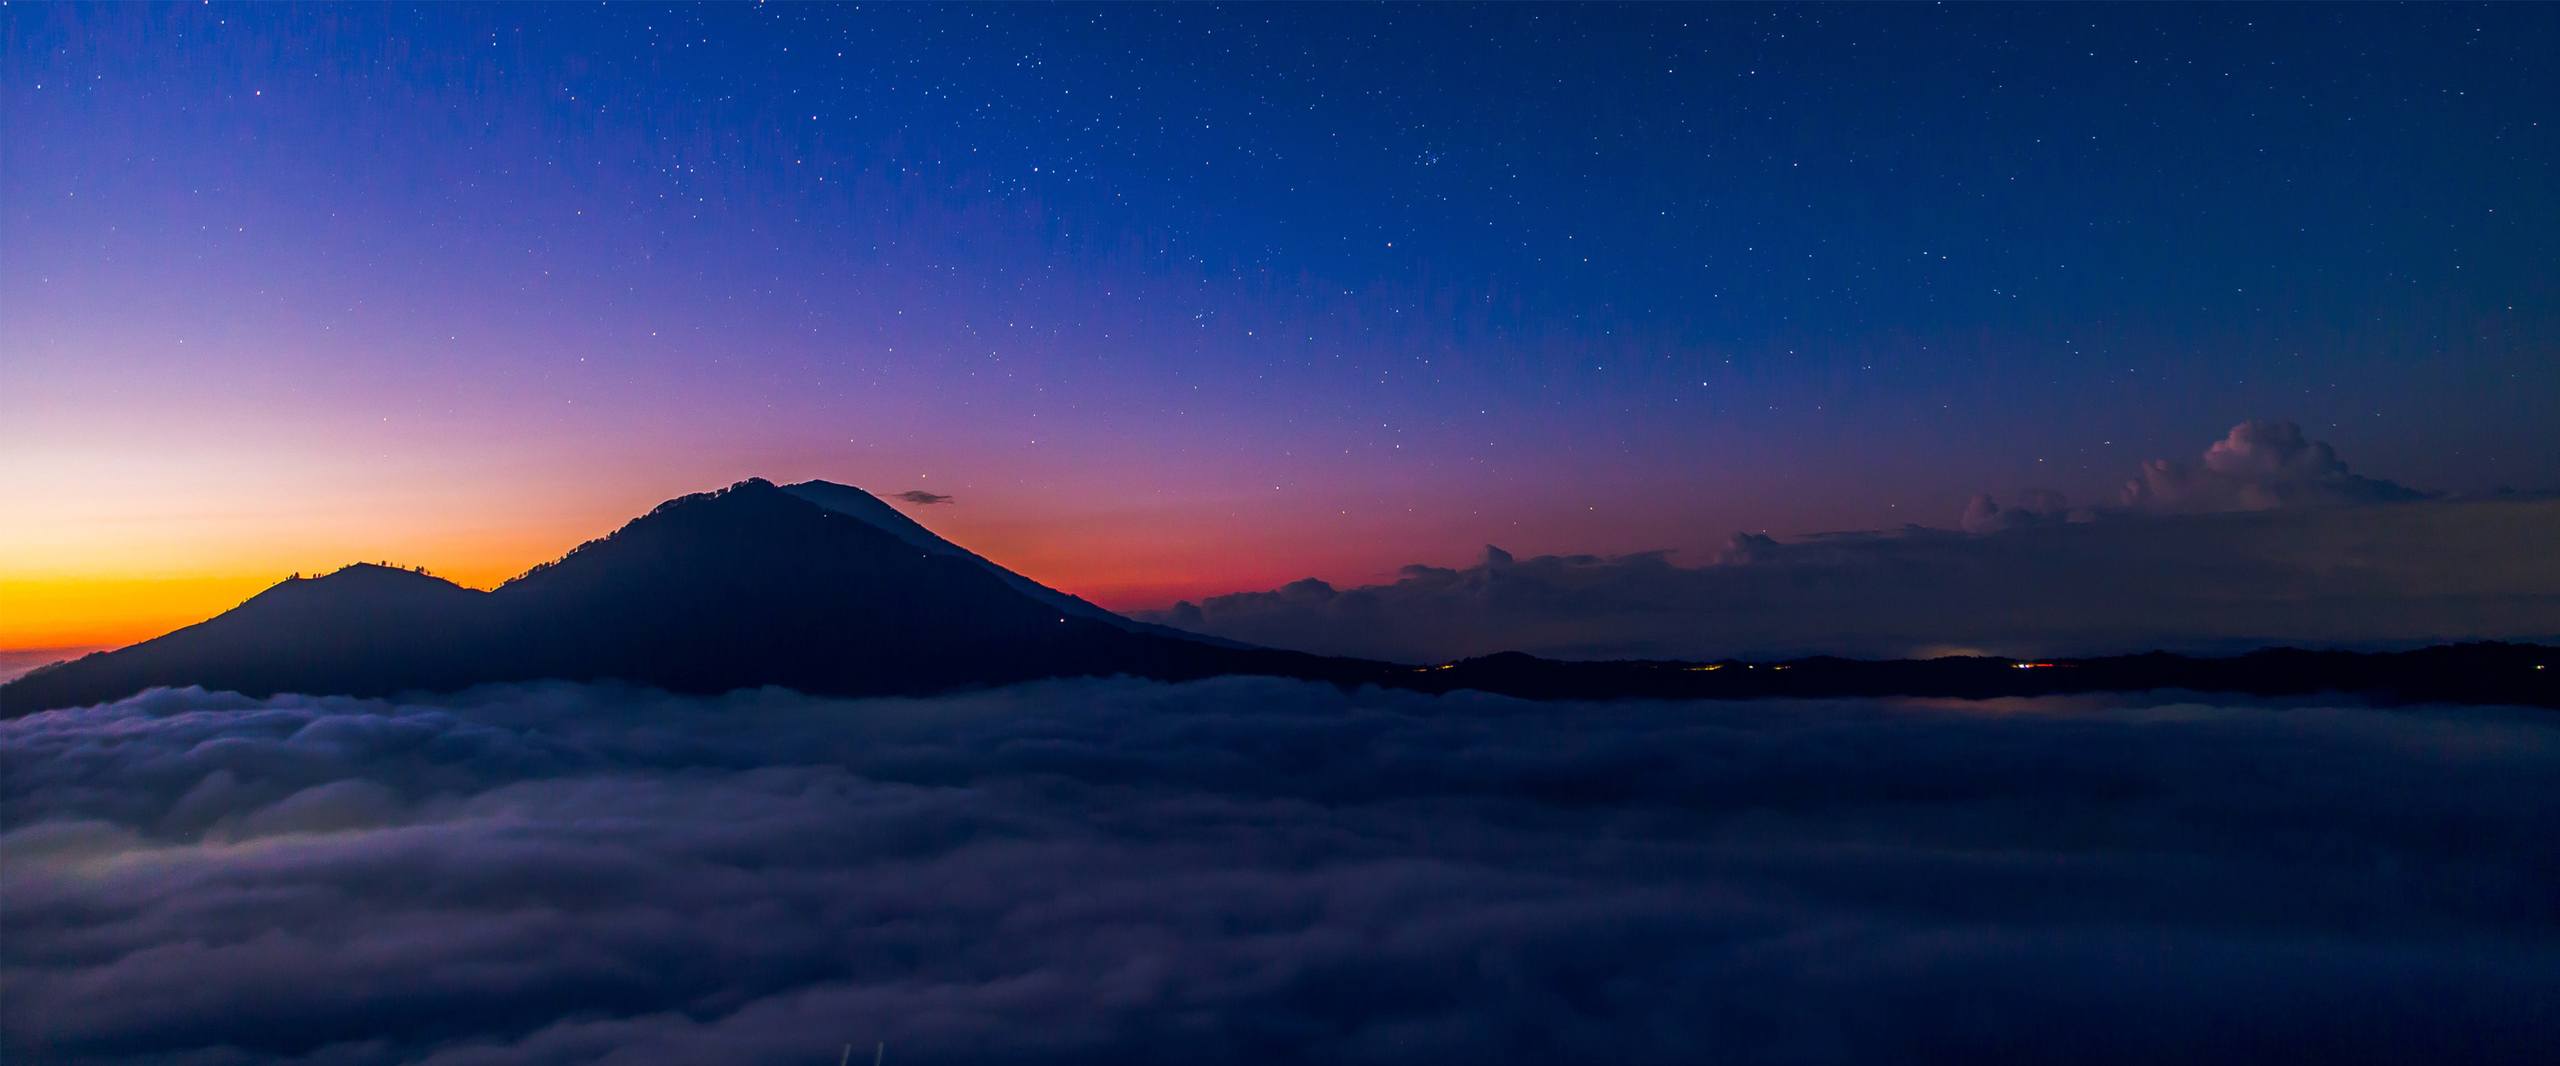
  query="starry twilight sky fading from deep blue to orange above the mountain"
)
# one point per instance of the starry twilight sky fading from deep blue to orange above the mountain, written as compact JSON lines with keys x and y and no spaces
{"x":1184,"y":301}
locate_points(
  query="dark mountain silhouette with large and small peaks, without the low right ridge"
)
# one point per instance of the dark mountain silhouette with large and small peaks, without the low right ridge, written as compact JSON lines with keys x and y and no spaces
{"x":739,"y":588}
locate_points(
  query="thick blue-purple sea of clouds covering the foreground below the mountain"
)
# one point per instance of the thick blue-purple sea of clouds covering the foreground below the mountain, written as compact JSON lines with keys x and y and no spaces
{"x":1251,"y":870}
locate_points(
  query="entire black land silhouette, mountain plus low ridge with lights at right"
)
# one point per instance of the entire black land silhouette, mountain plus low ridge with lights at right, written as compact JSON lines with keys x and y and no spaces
{"x":828,"y":591}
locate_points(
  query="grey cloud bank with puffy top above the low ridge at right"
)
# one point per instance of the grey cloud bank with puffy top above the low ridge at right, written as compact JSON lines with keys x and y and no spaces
{"x":2269,"y":539}
